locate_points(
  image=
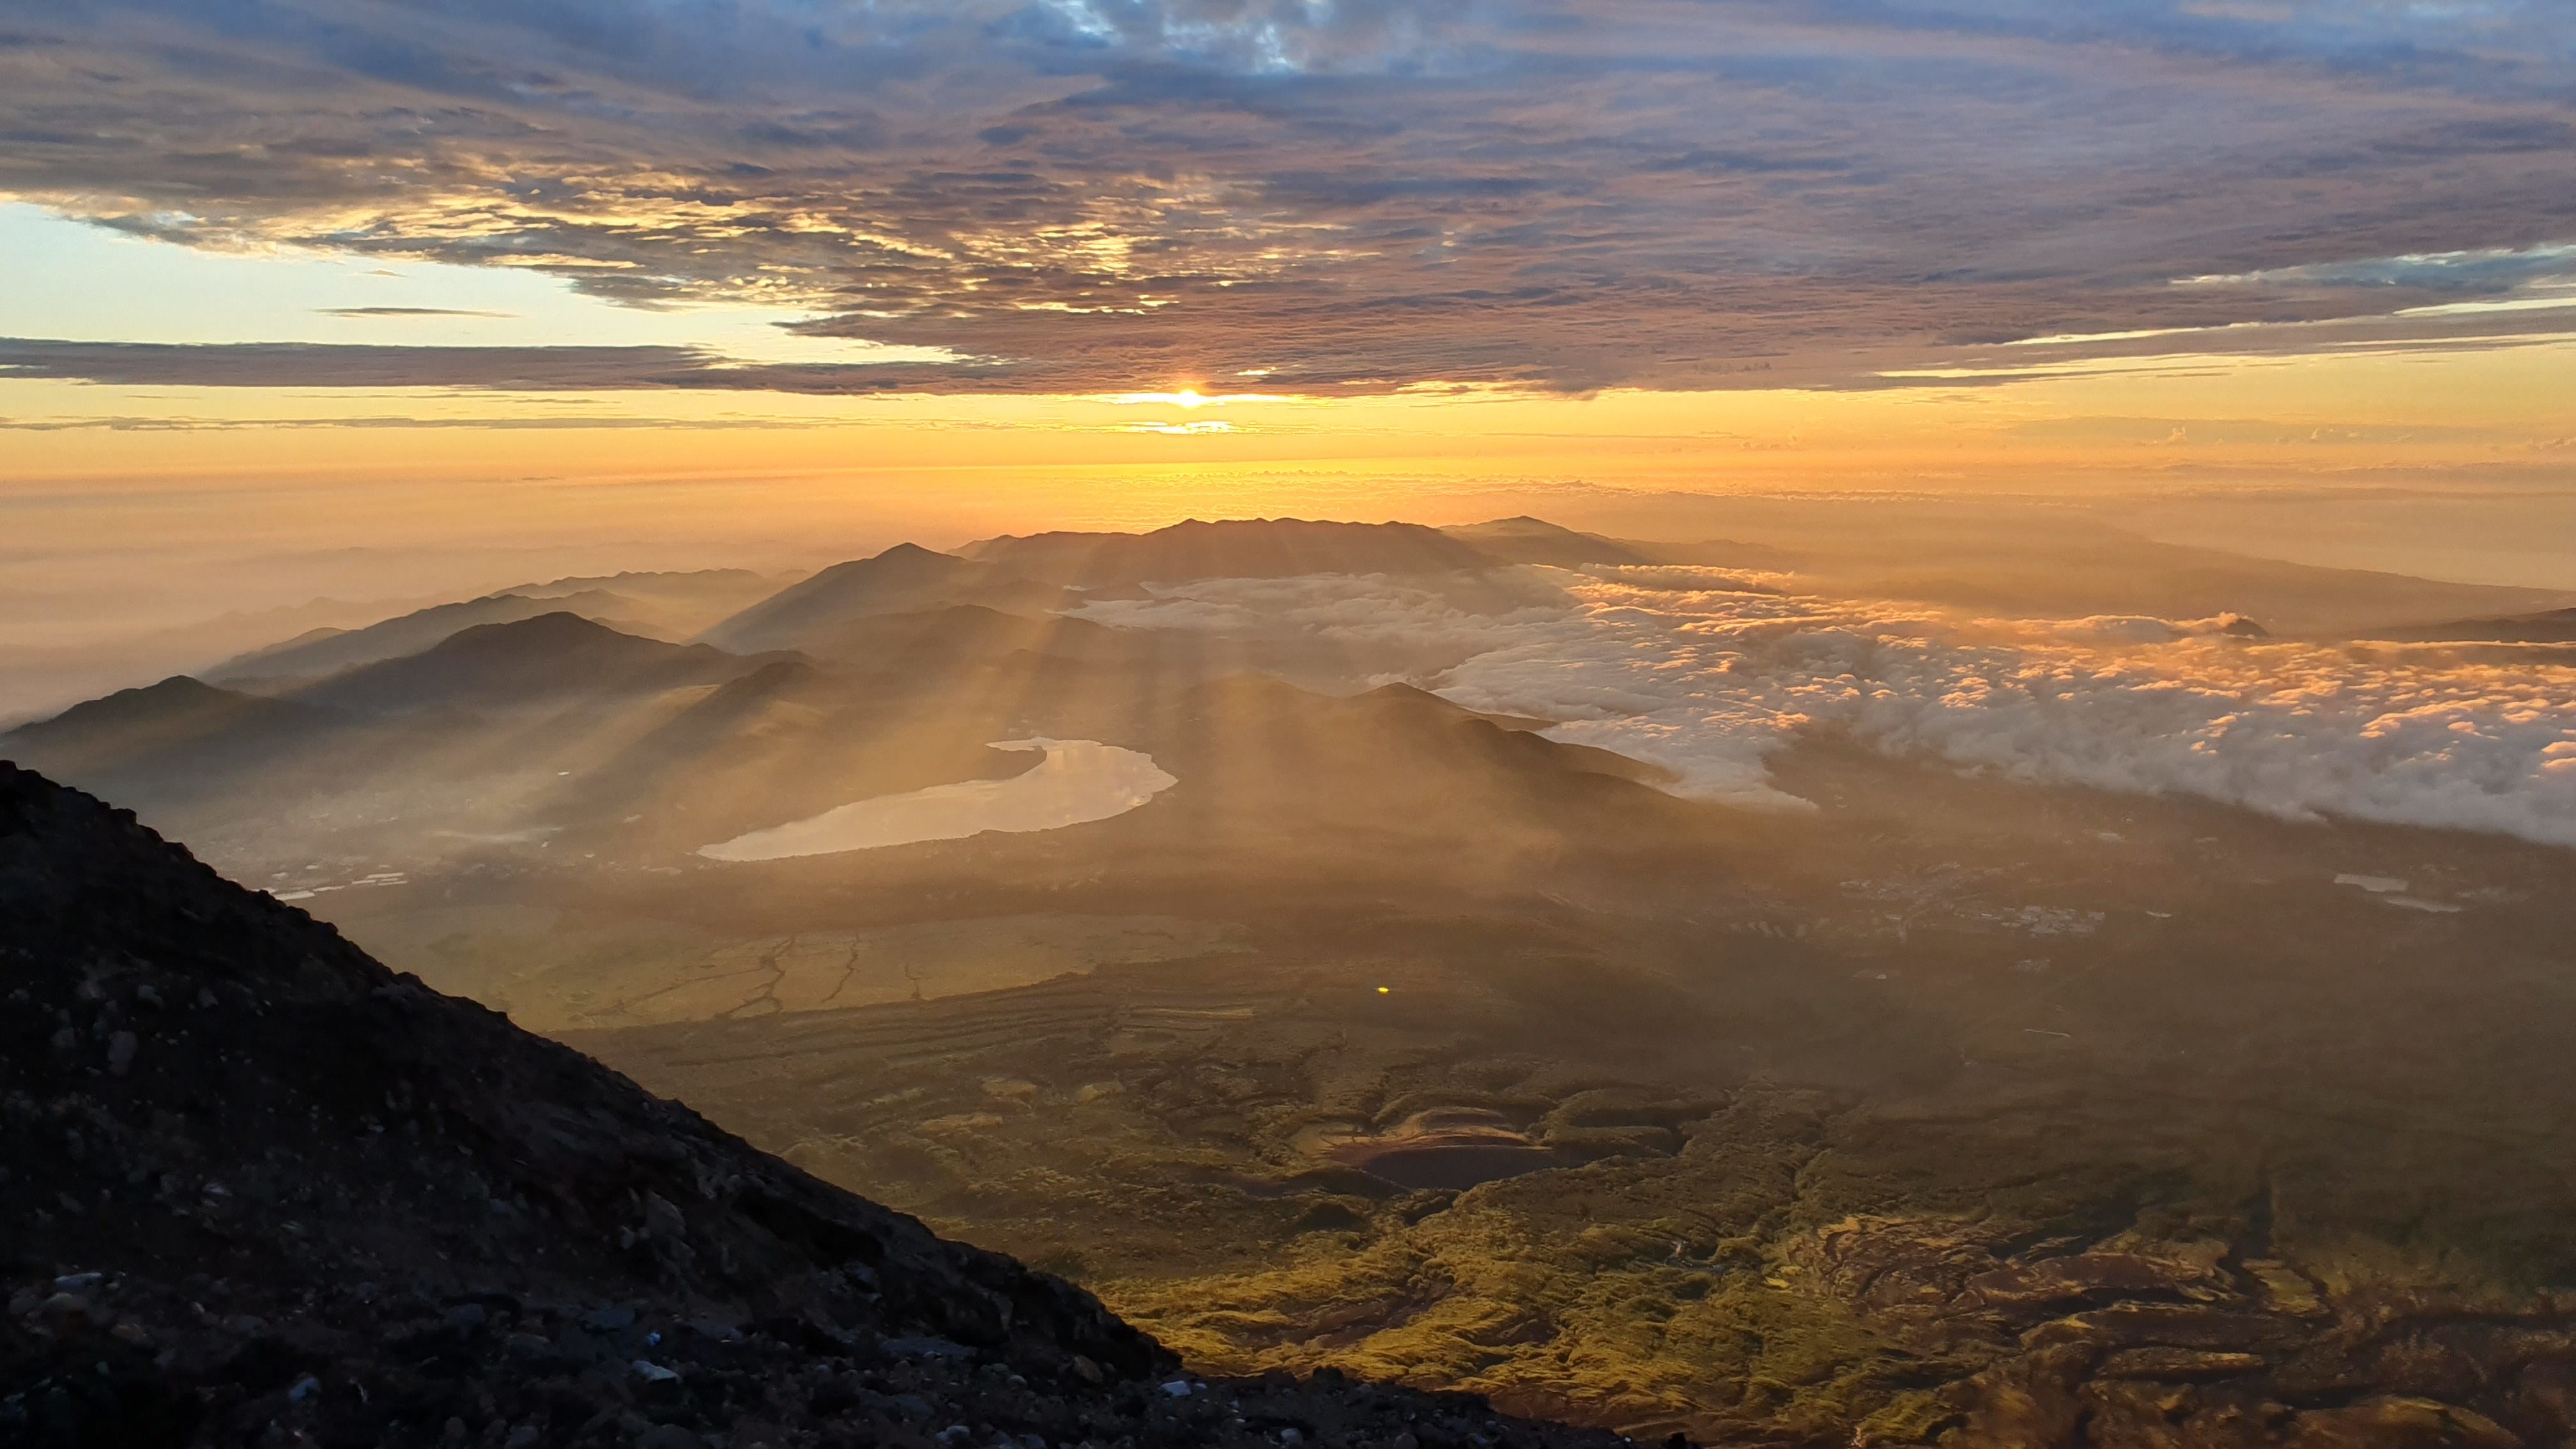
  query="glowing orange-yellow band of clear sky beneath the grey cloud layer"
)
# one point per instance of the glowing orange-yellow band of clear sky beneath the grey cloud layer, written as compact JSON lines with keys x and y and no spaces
{"x":292,"y":463}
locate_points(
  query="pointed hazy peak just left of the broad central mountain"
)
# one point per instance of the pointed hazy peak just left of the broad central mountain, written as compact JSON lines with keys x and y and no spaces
{"x":823,"y":612}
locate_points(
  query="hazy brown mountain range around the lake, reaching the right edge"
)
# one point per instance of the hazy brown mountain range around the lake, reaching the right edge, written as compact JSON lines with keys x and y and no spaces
{"x":553,"y":710}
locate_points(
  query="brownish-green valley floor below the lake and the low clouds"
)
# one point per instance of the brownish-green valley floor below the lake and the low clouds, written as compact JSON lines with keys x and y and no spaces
{"x":2049,"y":1120}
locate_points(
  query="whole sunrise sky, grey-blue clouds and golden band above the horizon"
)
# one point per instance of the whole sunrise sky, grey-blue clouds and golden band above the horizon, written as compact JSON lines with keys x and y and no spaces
{"x":774,"y":280}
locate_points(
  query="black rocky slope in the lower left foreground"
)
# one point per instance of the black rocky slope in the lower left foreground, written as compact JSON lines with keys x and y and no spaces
{"x":259,"y":1190}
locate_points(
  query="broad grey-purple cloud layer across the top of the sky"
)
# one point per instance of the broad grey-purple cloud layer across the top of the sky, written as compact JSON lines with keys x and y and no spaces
{"x":1346,"y":195}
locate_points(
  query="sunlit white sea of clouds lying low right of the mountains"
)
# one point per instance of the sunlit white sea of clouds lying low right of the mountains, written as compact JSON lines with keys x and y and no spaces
{"x":1707,"y":674}
